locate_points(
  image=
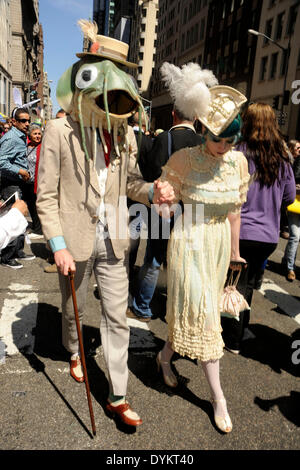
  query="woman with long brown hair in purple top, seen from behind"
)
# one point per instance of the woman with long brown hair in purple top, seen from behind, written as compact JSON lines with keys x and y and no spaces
{"x":272,"y":184}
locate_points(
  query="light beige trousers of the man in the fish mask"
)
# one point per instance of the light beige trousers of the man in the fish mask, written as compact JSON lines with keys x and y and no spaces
{"x":112,"y":279}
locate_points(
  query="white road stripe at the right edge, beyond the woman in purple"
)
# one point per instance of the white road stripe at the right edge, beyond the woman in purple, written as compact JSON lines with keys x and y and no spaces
{"x":281,"y":298}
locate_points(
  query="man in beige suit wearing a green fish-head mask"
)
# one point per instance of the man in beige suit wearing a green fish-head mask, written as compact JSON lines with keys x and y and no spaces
{"x":87,"y":168}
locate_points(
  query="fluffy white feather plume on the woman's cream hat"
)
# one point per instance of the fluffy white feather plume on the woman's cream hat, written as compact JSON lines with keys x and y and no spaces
{"x":189,"y":88}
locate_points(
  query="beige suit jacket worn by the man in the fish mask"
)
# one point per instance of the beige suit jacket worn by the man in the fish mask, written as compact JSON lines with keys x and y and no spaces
{"x":68,"y":193}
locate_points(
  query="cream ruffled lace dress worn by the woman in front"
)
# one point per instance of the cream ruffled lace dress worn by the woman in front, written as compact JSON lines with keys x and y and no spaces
{"x":199,"y":249}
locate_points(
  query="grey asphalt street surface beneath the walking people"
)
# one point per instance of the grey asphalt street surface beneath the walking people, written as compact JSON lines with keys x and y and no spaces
{"x":42,"y":407}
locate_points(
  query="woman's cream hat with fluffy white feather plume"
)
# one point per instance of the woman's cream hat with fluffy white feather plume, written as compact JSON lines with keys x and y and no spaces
{"x":197,"y":95}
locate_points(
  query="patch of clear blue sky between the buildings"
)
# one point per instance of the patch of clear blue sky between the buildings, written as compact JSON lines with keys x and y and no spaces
{"x":62,"y":36}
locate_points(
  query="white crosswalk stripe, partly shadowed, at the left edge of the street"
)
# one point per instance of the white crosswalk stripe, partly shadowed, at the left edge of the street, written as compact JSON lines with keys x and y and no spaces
{"x":18,"y":319}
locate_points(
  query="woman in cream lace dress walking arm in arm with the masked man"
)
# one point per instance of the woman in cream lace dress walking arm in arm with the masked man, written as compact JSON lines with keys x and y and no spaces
{"x":211,"y":181}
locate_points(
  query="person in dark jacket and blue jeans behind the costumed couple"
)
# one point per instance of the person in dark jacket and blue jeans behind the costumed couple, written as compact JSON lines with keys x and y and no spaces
{"x":182,"y":134}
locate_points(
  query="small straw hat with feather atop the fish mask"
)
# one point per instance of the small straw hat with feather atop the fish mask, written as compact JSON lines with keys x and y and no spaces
{"x":104,"y":46}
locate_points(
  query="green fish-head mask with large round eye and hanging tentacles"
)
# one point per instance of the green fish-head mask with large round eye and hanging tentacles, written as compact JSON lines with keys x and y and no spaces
{"x":99,"y":95}
